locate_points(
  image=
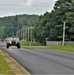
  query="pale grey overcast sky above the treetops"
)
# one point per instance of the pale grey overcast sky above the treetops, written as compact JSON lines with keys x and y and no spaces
{"x":16,"y":7}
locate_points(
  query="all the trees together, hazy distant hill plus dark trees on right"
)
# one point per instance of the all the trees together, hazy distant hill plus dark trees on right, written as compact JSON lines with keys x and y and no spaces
{"x":49,"y":25}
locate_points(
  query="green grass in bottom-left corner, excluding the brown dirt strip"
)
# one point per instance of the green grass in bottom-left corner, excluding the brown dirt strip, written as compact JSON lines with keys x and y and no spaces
{"x":4,"y":68}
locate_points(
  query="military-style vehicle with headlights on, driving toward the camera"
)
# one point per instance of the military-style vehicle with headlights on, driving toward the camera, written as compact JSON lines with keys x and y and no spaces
{"x":10,"y":41}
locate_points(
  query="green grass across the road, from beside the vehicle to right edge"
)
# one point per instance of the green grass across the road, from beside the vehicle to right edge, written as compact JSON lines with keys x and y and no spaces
{"x":69,"y":48}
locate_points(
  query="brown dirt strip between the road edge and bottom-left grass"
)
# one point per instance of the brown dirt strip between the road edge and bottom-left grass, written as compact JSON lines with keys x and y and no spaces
{"x":15,"y":66}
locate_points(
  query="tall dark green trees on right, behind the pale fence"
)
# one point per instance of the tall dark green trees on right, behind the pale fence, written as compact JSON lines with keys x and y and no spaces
{"x":50,"y":25}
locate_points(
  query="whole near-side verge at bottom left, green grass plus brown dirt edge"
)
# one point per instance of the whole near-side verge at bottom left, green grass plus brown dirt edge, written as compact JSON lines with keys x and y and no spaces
{"x":9,"y":66}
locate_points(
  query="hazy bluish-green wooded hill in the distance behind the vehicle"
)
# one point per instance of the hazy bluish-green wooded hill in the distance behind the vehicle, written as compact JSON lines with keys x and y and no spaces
{"x":9,"y":25}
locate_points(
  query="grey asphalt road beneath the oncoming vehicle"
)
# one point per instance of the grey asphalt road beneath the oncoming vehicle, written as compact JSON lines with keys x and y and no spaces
{"x":43,"y":61}
